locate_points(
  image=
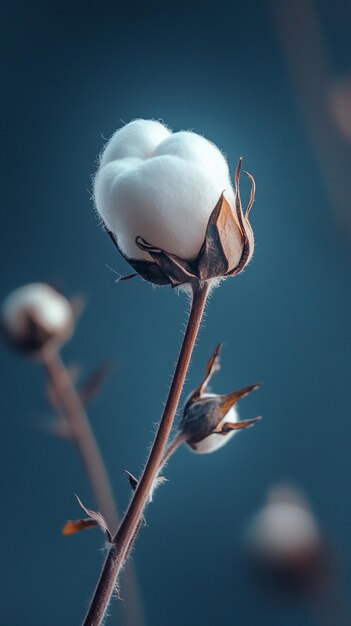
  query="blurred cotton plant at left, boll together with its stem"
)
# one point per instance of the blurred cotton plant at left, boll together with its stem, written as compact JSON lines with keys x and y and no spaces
{"x":36,"y":321}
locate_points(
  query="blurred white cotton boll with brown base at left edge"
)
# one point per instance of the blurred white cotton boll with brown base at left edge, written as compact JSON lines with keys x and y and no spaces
{"x":36,"y":315}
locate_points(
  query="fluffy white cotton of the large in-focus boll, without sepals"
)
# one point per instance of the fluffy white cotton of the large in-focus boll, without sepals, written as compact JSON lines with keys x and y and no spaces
{"x":162,"y":187}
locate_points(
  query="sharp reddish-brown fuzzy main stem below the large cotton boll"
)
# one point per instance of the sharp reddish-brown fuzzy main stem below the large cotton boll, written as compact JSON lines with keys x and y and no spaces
{"x":127,"y":531}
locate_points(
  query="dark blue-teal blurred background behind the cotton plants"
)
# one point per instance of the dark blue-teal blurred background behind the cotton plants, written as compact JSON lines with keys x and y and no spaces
{"x":71,"y":74}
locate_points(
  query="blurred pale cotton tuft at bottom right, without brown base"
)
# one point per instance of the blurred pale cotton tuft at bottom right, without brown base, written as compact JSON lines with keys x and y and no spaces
{"x":285,"y":532}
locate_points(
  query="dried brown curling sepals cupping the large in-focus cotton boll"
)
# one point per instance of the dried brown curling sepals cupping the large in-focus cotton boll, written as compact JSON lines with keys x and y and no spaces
{"x":217,"y":257}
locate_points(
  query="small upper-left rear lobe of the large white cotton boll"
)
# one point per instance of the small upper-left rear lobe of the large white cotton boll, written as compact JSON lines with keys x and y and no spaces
{"x":138,"y":139}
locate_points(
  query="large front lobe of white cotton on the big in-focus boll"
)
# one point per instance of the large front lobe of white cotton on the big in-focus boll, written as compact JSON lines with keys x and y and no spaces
{"x":167,"y":201}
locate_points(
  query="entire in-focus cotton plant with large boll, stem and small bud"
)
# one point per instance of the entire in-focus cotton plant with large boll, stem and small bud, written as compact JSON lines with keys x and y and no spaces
{"x":168,"y":203}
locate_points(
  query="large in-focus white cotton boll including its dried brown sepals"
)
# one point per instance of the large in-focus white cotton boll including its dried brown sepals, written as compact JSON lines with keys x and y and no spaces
{"x":156,"y":192}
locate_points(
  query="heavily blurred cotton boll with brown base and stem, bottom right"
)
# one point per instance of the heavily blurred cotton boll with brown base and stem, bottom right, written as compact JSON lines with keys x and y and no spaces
{"x":291,"y":557}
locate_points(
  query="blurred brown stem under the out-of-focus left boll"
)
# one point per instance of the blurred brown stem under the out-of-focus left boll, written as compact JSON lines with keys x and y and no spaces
{"x":72,"y":408}
